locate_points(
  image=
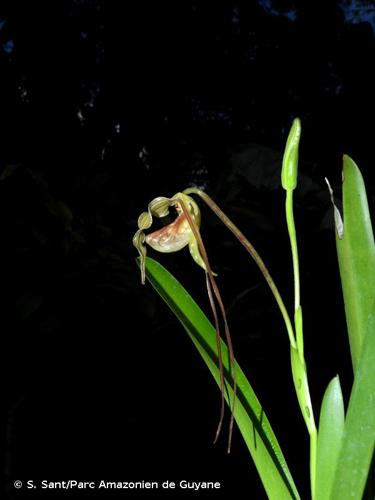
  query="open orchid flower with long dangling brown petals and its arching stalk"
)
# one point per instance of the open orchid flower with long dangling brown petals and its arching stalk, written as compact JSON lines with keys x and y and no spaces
{"x":183,"y":231}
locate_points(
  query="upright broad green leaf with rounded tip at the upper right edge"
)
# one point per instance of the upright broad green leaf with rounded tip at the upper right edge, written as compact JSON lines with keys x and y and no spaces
{"x":356,"y":253}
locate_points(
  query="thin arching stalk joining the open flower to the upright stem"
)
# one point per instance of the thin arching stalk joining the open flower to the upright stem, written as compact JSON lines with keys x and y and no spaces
{"x":254,"y":254}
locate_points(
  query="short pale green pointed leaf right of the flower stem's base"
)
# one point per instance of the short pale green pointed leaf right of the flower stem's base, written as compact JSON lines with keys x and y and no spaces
{"x":331,"y":429}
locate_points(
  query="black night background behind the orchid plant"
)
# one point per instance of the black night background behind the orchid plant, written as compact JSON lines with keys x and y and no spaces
{"x":105,"y":105}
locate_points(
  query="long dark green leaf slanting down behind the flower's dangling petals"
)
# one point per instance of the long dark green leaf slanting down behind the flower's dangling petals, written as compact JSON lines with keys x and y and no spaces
{"x":249,"y":415}
